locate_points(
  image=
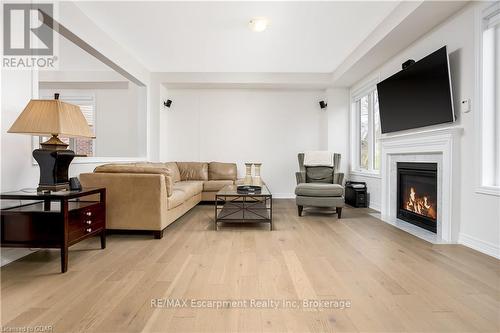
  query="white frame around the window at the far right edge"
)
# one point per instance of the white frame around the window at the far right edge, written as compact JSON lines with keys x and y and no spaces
{"x":481,"y":14}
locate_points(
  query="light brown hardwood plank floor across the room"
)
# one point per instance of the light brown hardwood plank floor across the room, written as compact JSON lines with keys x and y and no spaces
{"x":394,"y":281}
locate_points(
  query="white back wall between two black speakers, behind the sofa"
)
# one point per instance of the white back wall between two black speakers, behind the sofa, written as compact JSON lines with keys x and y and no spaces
{"x":245,"y":125}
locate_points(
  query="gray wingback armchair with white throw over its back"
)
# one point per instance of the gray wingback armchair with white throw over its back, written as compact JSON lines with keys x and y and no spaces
{"x":319,"y":186}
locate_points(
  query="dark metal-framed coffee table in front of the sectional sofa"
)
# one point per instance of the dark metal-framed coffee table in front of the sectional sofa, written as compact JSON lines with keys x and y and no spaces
{"x":234,"y":207}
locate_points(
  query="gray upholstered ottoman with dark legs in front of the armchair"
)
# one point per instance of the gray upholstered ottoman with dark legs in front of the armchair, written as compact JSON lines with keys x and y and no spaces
{"x":320,"y":195}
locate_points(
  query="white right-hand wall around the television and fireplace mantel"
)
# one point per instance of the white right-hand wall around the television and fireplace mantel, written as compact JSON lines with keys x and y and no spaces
{"x":480,"y":214}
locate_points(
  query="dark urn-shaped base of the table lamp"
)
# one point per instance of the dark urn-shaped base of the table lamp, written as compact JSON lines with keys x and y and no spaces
{"x":54,"y":165}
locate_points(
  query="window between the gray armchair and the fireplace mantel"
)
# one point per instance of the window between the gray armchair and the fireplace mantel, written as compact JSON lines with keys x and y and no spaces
{"x":367,"y":128}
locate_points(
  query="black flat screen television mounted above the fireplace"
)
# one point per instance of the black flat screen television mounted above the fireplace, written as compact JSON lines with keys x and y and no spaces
{"x":417,"y":96}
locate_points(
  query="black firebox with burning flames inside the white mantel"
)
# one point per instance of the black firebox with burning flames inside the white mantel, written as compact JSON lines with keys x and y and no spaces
{"x":417,"y":194}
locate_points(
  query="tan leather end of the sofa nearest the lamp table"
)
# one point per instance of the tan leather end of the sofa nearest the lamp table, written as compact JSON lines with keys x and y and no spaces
{"x":134,"y":201}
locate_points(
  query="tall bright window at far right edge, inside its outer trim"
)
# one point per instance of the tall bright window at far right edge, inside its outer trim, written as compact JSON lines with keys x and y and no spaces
{"x":489,"y":94}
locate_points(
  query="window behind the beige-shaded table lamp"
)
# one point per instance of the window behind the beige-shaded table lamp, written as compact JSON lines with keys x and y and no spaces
{"x":81,"y":146}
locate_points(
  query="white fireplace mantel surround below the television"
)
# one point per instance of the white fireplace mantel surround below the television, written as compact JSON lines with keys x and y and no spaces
{"x":442,"y":144}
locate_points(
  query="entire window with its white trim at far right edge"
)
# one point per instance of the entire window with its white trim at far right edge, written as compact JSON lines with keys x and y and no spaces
{"x":486,"y":115}
